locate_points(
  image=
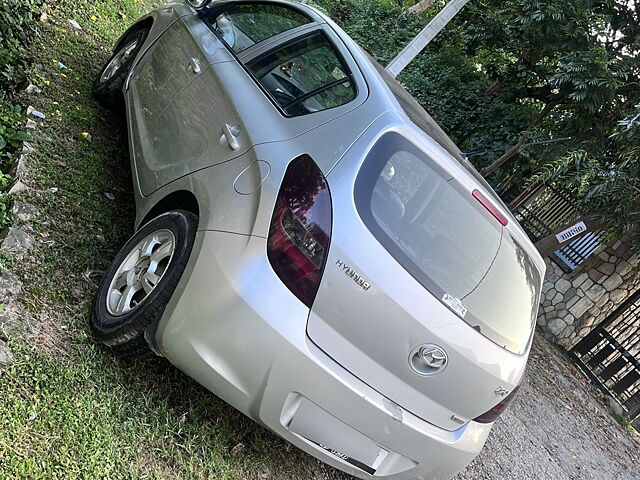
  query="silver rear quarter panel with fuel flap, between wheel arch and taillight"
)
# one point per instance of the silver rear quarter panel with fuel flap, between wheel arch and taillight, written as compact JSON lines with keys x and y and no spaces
{"x":222,"y":208}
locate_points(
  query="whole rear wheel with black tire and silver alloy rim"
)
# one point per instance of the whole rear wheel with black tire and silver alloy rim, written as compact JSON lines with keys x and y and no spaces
{"x":128,"y":302}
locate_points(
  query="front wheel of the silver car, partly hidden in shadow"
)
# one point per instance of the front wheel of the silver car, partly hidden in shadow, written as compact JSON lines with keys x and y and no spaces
{"x":107,"y":87}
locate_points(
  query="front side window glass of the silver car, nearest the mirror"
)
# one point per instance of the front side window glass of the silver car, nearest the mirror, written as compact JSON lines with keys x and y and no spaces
{"x":244,"y":25}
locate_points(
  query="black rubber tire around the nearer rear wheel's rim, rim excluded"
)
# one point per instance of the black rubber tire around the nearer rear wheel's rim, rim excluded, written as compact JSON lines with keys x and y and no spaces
{"x":107,"y":327}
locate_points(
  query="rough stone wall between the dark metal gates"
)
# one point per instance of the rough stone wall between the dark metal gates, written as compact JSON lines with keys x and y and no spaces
{"x":574,"y":303}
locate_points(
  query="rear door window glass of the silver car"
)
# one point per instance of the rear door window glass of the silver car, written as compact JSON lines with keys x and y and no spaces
{"x":305,"y":76}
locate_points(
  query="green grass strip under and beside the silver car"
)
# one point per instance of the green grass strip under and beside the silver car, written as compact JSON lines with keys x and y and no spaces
{"x":68,"y":408}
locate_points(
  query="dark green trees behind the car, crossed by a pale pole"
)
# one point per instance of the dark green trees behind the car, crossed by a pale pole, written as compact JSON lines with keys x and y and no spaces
{"x":516,"y":83}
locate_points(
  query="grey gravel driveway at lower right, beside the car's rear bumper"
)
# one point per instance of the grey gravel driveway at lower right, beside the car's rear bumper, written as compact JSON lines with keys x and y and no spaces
{"x":556,"y":429}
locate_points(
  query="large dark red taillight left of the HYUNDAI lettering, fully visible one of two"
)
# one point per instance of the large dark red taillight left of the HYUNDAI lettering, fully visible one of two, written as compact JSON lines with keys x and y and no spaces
{"x":301,"y":229}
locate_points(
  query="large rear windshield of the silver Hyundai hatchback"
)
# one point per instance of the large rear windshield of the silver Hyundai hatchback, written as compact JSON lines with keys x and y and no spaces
{"x":448,"y":241}
